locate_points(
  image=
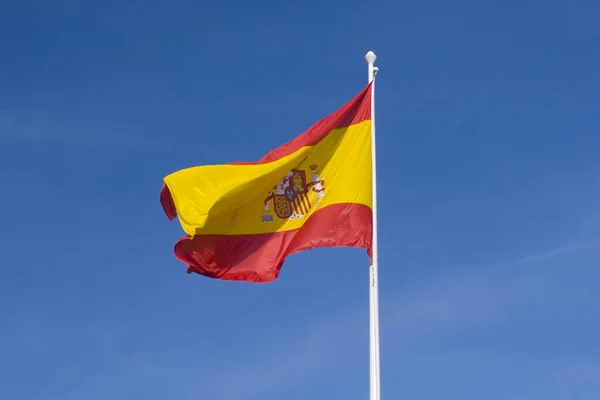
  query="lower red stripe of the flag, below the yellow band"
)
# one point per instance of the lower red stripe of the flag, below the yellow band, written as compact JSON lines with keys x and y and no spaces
{"x":259,"y":258}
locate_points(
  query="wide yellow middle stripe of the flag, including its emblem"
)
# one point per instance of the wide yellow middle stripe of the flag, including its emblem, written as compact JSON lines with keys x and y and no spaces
{"x":243,"y":199}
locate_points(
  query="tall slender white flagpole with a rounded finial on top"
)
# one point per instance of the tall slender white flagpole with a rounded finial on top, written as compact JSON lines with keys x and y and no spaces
{"x":375,"y":380}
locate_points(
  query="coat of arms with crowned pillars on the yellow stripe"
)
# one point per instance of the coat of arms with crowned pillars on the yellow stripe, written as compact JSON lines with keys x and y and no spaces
{"x":290,"y":198}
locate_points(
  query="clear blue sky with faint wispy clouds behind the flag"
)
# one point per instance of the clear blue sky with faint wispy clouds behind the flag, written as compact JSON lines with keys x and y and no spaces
{"x":488,"y":143}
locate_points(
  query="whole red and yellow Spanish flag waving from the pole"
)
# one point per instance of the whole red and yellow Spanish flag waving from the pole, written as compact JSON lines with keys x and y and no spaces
{"x":243,"y":219}
